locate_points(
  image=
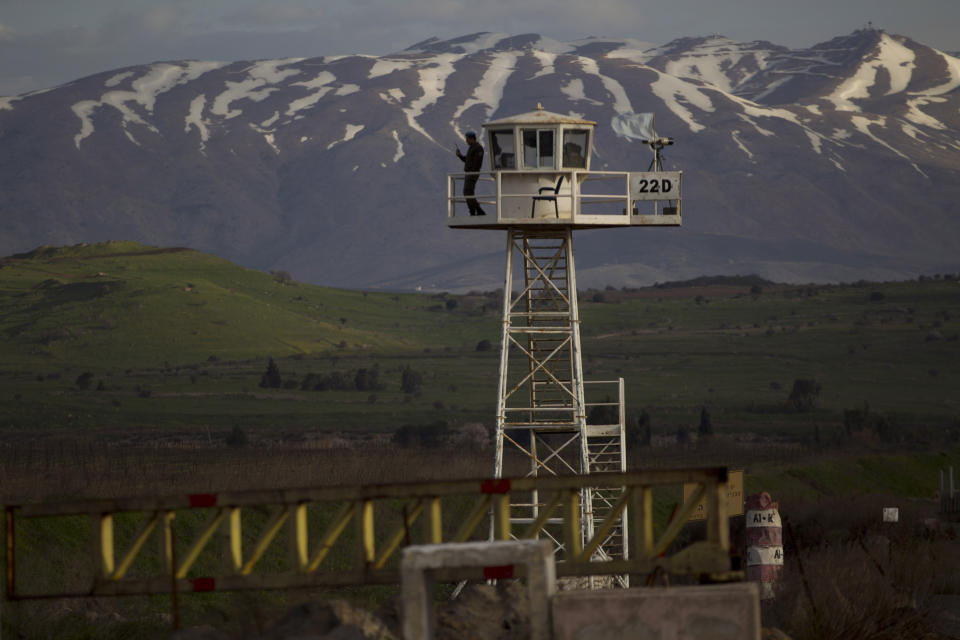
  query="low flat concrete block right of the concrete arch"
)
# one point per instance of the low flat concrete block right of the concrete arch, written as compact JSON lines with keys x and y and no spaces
{"x":715,"y":612}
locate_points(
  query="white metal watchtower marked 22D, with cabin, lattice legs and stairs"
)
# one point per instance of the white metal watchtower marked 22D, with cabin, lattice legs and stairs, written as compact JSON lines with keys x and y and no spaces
{"x":539,"y":189}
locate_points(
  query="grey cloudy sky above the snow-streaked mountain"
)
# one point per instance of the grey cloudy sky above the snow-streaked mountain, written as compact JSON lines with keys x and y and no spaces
{"x":44,"y":43}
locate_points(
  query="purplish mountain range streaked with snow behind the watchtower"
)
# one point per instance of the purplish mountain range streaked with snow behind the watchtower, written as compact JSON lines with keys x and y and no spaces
{"x":837,"y":162}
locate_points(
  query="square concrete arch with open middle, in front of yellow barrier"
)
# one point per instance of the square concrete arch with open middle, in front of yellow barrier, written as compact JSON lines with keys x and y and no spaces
{"x":418,"y":561}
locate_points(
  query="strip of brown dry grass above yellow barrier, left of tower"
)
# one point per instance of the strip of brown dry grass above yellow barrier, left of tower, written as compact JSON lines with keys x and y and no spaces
{"x":60,"y":470}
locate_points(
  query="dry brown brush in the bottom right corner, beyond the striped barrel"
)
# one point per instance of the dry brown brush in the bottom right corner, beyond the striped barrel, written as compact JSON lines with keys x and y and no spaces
{"x":863,"y":581}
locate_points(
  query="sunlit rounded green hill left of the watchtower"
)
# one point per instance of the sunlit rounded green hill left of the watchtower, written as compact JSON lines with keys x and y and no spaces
{"x":121,"y":304}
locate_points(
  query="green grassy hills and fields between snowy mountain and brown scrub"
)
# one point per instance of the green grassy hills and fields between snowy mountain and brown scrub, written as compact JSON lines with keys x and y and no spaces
{"x":96,"y":338}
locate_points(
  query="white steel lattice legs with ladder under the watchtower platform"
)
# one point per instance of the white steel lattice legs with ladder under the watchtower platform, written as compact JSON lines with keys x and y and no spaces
{"x":541,"y":410}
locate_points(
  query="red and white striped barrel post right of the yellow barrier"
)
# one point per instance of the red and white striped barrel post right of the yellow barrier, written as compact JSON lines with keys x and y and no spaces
{"x":764,"y":542}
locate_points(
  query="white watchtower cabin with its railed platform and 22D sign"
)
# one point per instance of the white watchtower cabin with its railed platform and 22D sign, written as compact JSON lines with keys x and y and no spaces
{"x":540,"y":177}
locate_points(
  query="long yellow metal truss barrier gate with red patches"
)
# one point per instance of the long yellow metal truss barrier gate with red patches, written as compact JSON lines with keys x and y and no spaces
{"x":204,"y":544}
